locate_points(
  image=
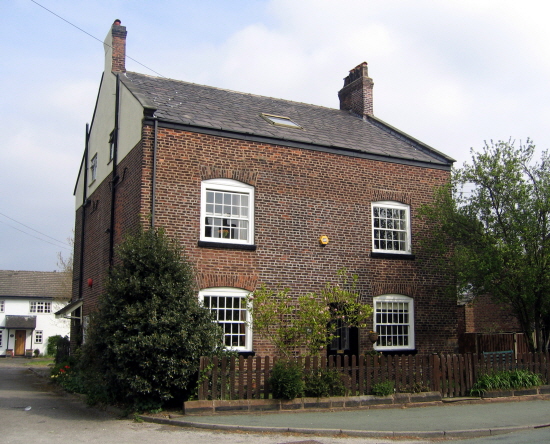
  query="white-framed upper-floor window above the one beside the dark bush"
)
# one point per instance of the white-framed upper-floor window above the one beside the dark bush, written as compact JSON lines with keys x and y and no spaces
{"x":227,"y":211}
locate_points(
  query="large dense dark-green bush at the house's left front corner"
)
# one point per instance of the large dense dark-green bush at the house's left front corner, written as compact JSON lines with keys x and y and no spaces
{"x":145,"y":341}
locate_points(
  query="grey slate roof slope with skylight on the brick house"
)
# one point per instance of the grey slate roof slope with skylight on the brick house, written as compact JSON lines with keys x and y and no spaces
{"x":219,"y":109}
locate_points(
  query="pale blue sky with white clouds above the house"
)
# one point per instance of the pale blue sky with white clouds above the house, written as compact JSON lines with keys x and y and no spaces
{"x":452,"y":74}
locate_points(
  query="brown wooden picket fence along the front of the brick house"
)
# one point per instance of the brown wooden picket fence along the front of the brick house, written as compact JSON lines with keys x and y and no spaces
{"x":452,"y":375}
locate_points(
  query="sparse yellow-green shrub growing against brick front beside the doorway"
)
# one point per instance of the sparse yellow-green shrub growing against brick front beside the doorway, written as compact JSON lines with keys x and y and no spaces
{"x":307,"y":322}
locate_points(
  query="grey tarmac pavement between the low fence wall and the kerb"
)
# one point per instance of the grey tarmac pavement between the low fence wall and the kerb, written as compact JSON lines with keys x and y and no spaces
{"x":446,"y":421}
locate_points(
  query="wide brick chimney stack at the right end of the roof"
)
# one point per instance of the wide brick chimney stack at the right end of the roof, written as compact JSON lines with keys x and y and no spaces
{"x":356,"y":95}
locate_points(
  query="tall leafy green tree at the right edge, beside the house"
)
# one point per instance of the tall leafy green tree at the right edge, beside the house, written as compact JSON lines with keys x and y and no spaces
{"x":495,"y":214}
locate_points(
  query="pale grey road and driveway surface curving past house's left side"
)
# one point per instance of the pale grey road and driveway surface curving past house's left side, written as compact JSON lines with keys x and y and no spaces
{"x":31,"y":411}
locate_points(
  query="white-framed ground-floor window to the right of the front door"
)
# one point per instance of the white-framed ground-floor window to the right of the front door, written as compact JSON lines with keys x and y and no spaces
{"x":394,"y":322}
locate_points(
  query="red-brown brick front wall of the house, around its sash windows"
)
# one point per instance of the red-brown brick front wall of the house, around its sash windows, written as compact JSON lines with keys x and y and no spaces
{"x":300,"y":195}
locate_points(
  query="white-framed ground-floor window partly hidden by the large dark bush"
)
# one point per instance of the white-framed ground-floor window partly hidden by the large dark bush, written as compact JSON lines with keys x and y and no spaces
{"x":231,"y":313}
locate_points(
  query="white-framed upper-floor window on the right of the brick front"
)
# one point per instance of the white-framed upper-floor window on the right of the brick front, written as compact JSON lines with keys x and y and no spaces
{"x":391,"y":229}
